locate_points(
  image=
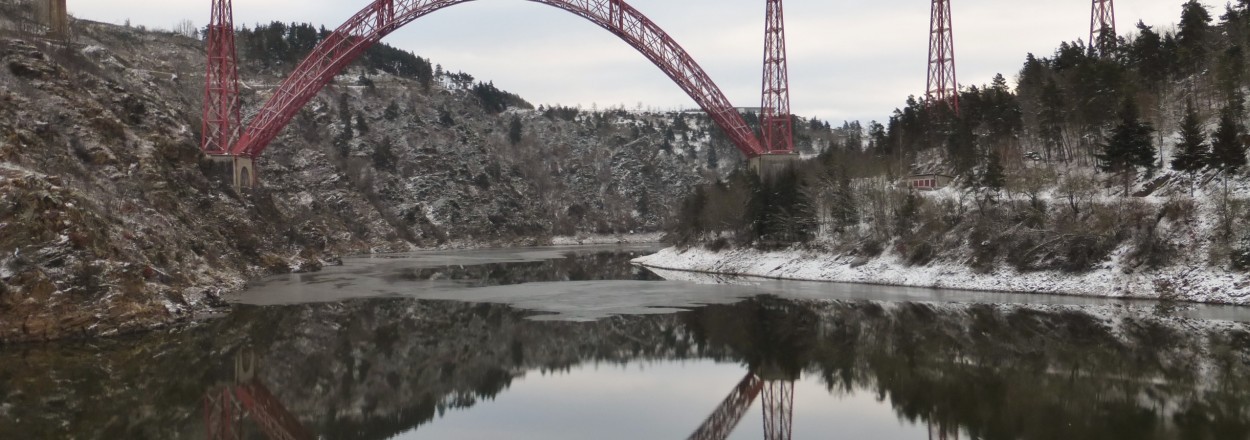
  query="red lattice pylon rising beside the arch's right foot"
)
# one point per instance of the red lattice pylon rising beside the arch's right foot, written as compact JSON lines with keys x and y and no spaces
{"x":778,"y":129}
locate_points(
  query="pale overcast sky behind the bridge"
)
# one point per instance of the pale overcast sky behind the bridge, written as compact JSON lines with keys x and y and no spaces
{"x":849,"y":61}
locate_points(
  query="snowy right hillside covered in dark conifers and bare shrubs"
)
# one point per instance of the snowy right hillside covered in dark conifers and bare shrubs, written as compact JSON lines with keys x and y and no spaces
{"x":1127,"y":161}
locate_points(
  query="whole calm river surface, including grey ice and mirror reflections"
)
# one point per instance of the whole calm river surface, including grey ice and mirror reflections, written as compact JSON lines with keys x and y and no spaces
{"x":579,"y":344}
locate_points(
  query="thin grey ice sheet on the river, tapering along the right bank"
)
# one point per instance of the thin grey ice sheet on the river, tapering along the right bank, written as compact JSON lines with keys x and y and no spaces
{"x":594,"y":283}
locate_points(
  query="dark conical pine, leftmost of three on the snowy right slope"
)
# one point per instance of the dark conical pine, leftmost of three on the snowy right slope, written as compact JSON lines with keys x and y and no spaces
{"x":1129,"y":148}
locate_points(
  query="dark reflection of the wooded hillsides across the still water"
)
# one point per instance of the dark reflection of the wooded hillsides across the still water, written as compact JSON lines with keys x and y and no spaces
{"x":373,"y":369}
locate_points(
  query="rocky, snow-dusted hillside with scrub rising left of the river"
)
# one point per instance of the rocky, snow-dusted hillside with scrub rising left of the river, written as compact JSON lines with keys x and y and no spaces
{"x":111,"y":221}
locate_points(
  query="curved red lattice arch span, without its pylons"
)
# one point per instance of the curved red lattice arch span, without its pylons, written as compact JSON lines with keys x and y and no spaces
{"x":384,"y":17}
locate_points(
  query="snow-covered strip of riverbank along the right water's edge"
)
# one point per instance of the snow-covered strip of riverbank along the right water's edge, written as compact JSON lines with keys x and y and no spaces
{"x":1186,"y":284}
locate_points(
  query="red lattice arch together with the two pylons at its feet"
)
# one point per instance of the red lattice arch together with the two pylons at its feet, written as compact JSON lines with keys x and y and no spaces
{"x":227,"y":137}
